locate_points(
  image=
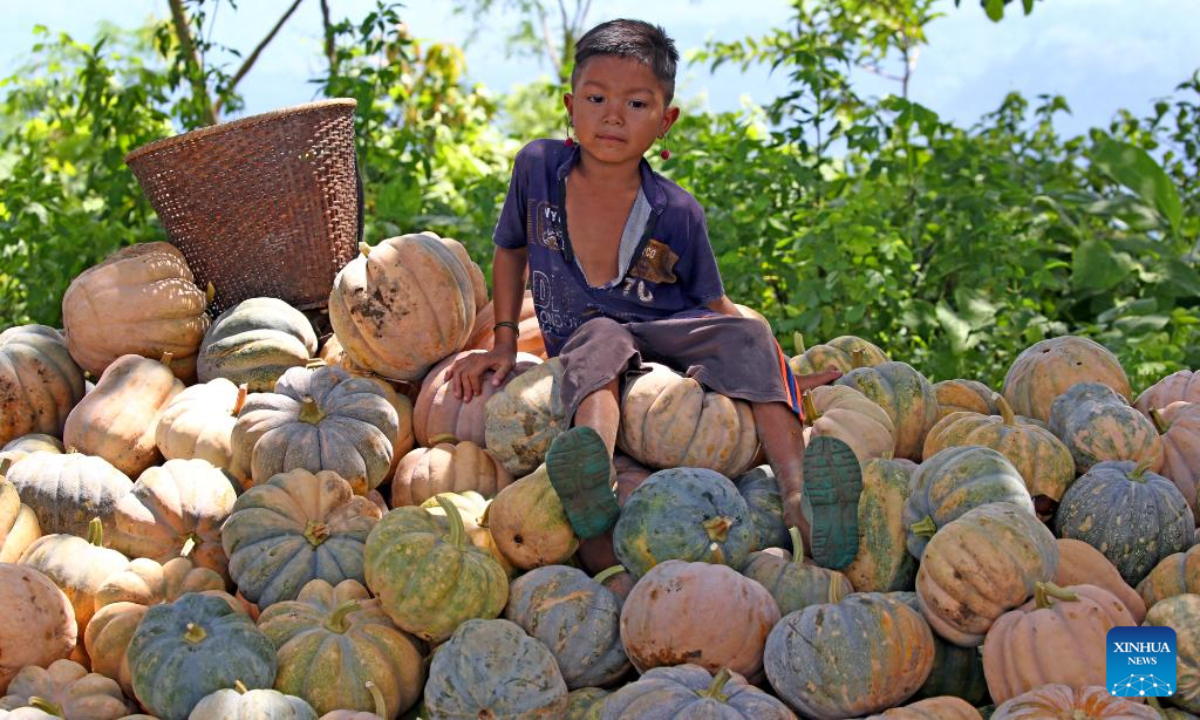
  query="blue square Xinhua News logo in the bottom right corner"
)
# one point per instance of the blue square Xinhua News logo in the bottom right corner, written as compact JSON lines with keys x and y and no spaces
{"x":1141,"y":662}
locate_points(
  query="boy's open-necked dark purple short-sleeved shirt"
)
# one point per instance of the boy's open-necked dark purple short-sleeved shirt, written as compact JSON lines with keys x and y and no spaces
{"x":673,"y":272}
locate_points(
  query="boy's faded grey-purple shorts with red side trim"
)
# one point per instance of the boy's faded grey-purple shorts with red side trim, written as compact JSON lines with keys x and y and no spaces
{"x":735,"y":357}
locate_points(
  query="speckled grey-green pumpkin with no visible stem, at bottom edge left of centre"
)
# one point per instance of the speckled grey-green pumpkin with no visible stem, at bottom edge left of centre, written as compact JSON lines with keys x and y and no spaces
{"x":491,"y":669}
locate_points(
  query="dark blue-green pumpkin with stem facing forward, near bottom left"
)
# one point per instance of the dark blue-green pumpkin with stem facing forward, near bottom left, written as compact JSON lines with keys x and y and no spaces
{"x":188,"y":650}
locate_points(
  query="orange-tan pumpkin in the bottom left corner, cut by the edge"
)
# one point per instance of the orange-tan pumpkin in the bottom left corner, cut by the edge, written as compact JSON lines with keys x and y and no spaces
{"x":68,"y":691}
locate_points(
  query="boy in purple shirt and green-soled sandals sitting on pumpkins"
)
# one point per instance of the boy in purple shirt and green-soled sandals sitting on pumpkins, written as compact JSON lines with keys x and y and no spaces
{"x":623,"y":272}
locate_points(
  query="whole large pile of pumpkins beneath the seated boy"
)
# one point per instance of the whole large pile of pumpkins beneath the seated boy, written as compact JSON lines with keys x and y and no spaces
{"x":242,"y":521}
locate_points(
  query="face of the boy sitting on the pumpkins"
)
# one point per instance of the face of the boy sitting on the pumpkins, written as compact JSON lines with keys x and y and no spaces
{"x":617,"y":110}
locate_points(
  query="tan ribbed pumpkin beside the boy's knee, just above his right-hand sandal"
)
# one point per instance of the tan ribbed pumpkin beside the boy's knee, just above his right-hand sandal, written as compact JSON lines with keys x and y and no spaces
{"x":847,"y":415}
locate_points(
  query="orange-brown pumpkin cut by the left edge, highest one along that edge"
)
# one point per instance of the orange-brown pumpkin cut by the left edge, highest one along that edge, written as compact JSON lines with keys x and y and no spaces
{"x":39,"y":382}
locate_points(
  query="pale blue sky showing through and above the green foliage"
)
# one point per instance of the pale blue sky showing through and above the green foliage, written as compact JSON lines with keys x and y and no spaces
{"x":1101,"y":55}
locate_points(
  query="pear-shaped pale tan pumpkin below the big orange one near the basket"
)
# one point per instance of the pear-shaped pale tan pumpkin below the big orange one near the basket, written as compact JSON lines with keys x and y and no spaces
{"x":119,"y":418}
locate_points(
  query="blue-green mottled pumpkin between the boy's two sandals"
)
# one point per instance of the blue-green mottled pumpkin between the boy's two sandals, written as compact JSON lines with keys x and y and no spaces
{"x":680,"y":515}
